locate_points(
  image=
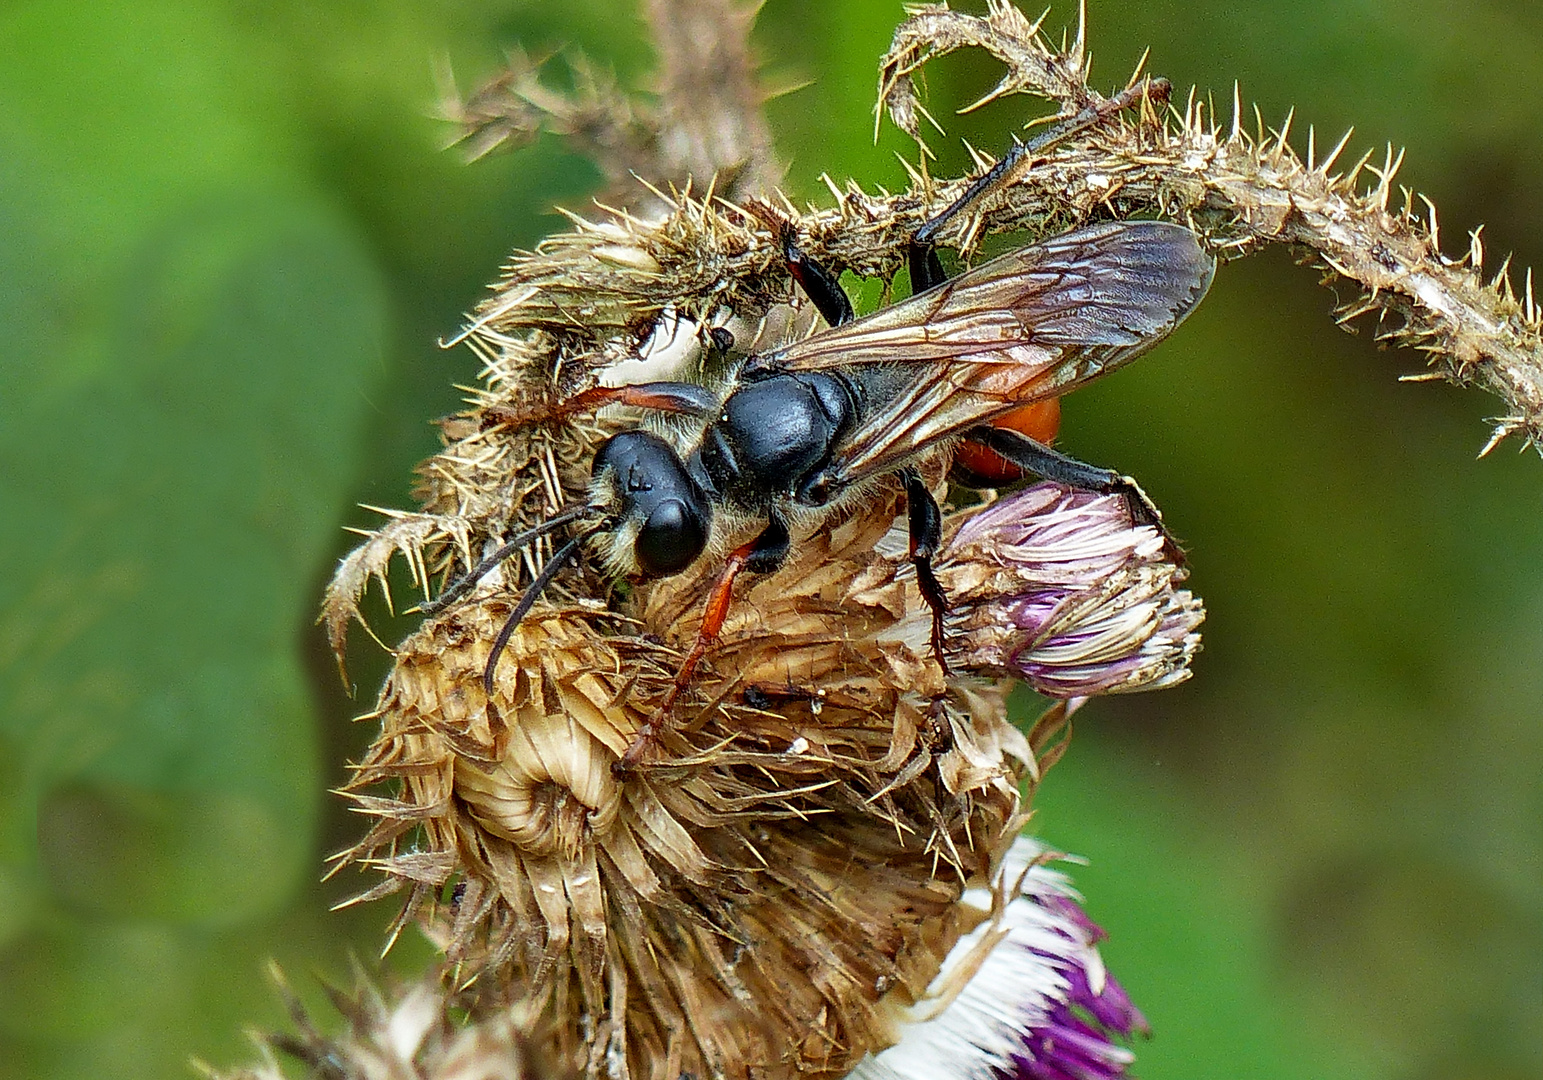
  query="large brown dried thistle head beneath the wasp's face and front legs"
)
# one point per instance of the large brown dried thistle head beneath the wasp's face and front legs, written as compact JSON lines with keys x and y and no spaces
{"x":748,"y":905}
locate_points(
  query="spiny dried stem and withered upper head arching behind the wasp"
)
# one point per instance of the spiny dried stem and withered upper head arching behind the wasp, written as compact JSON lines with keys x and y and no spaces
{"x":589,"y":300}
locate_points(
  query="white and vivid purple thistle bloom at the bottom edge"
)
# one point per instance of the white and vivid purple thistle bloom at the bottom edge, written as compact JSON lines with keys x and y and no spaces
{"x":1024,"y":996}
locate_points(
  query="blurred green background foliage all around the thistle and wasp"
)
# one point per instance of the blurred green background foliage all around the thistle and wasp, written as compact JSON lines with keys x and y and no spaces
{"x":228,"y":246}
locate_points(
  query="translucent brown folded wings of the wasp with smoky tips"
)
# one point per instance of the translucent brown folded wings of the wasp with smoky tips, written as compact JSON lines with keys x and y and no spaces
{"x":1027,"y":326}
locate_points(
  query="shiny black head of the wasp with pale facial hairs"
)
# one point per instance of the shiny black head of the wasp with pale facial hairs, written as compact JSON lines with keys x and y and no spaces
{"x":655,"y":501}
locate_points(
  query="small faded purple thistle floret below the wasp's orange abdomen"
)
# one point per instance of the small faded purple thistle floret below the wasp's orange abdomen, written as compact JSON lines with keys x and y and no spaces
{"x":1064,"y":590}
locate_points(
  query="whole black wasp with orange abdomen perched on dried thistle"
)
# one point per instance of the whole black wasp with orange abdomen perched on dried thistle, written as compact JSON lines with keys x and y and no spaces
{"x":803,"y":430}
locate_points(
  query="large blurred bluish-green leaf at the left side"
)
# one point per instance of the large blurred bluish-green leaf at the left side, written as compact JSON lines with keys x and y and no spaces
{"x":180,"y":502}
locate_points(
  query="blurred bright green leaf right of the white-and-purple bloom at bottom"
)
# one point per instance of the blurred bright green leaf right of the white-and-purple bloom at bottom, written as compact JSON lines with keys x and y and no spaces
{"x":1187,"y":939}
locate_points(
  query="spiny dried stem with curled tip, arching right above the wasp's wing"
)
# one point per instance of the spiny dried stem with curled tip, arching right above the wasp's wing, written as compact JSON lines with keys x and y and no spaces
{"x":1244,"y":191}
